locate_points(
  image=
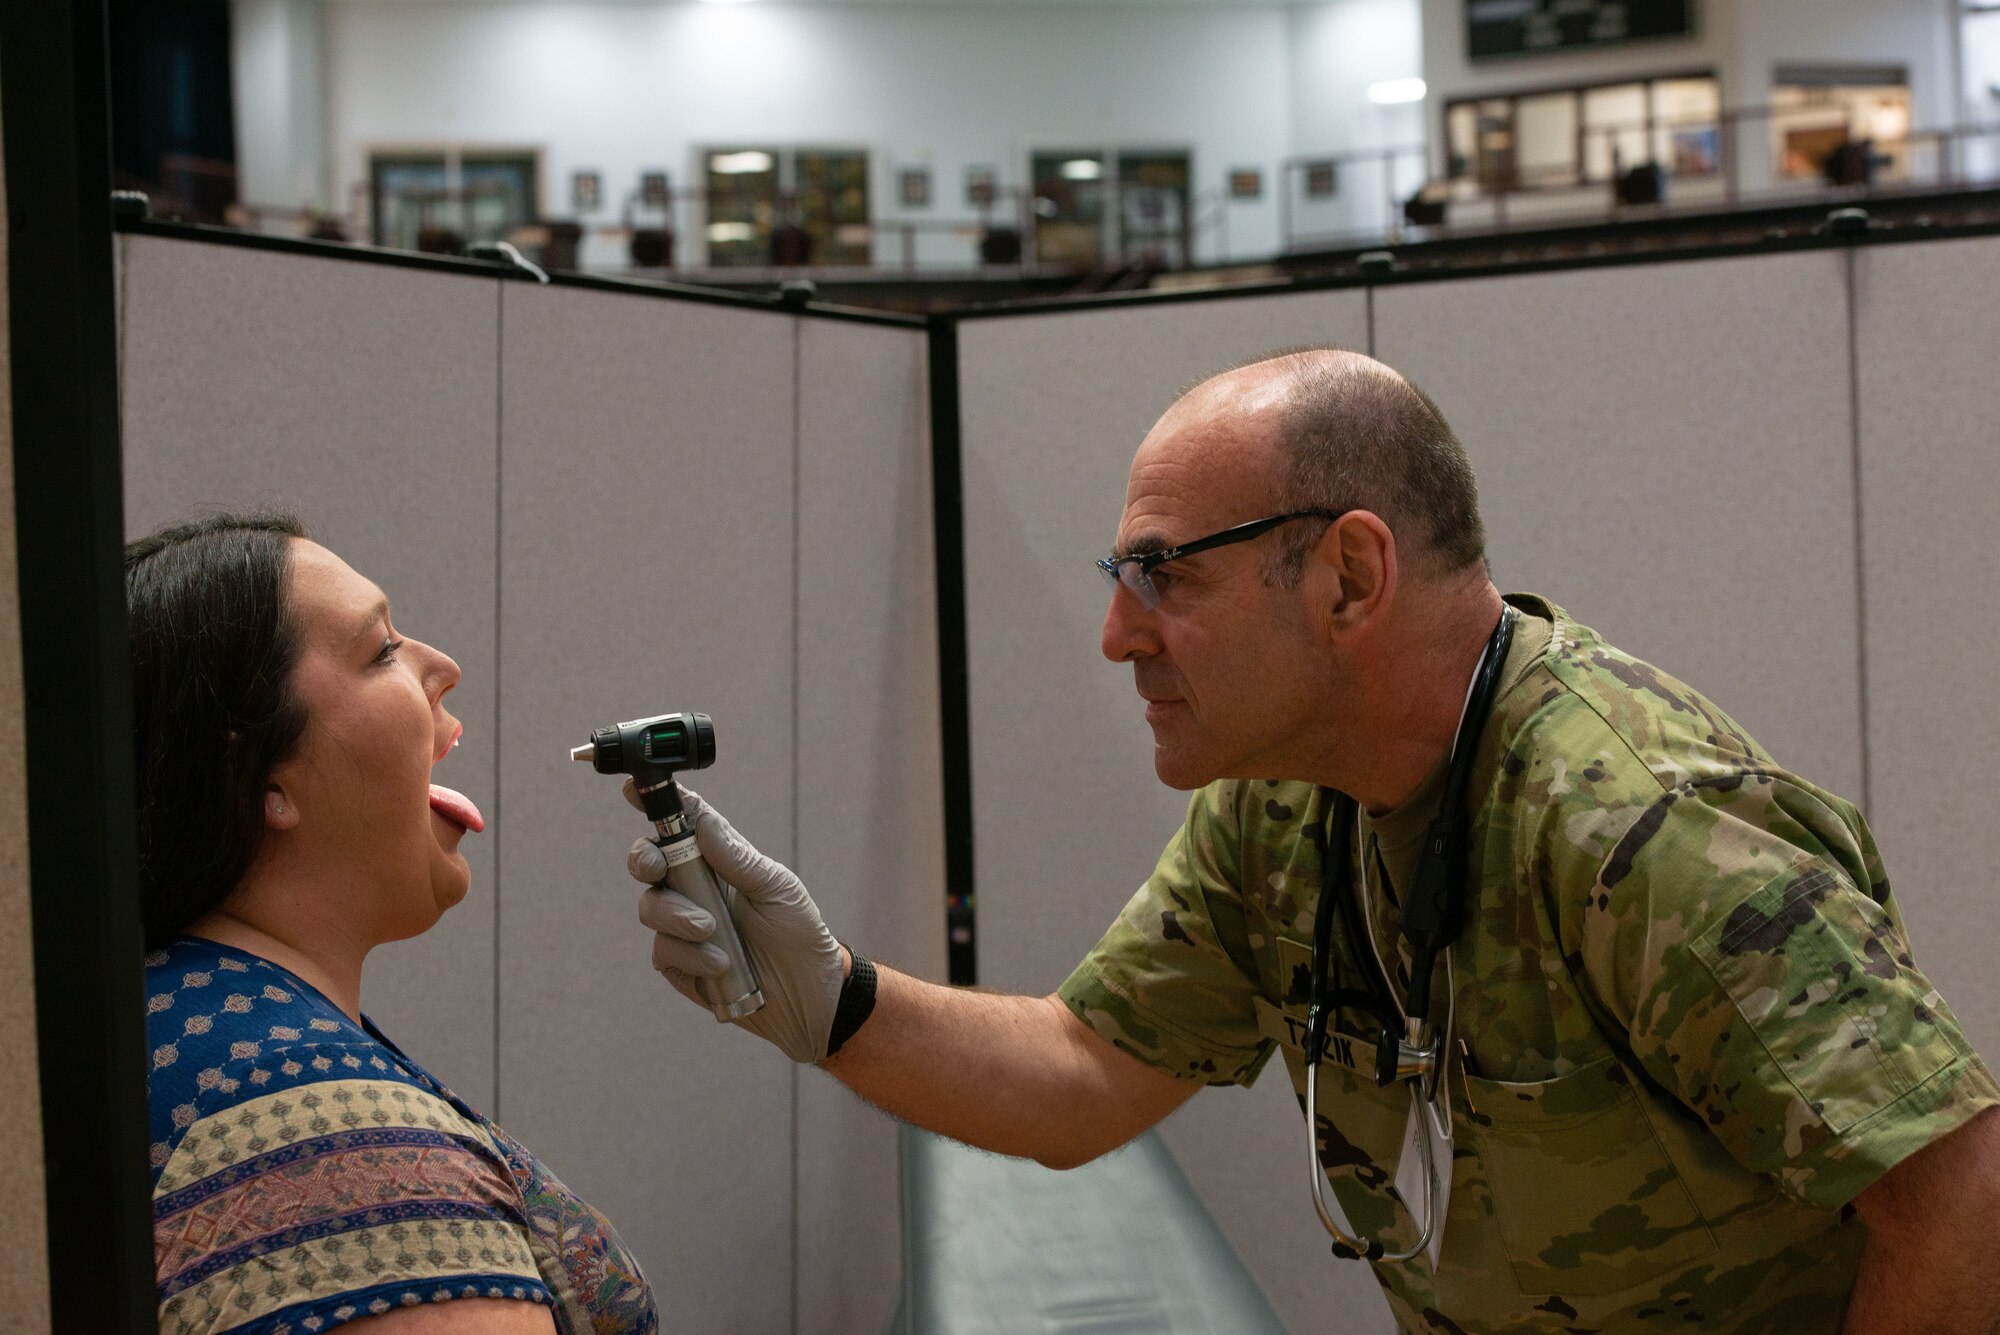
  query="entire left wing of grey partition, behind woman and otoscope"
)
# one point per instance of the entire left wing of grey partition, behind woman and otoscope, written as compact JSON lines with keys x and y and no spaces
{"x":609,"y":505}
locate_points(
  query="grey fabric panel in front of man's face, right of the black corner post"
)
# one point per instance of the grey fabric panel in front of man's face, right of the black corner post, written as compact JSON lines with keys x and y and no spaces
{"x":1069,"y":816}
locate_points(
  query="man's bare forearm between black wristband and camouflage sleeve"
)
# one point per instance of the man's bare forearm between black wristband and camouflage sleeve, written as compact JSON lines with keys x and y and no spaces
{"x":1017,"y":1076}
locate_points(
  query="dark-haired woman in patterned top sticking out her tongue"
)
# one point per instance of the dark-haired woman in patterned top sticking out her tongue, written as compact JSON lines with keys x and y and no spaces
{"x":307,"y":1172}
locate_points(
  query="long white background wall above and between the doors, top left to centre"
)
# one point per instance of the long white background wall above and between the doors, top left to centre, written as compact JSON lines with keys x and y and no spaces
{"x":631,"y":87}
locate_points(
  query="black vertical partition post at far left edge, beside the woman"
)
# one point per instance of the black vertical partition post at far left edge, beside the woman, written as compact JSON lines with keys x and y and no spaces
{"x":83,"y":830}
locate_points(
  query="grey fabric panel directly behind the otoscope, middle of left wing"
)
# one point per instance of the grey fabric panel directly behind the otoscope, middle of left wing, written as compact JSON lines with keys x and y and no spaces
{"x":647,"y":567}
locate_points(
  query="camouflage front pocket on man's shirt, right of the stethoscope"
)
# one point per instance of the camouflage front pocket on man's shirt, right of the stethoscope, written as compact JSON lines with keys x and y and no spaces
{"x":1583,"y":1190}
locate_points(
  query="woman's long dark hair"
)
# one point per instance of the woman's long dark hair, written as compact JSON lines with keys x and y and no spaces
{"x":213,"y":653}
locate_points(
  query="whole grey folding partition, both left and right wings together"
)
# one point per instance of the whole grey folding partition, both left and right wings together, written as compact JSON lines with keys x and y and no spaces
{"x":1765,"y":473}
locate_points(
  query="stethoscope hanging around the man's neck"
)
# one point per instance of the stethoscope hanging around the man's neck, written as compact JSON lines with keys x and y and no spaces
{"x":1409,"y":1048}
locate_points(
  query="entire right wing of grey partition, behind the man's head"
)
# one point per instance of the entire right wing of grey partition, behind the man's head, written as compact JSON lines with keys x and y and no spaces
{"x":1671,"y":451}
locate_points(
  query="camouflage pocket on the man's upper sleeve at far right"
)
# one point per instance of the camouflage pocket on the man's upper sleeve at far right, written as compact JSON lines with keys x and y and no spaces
{"x":1823,"y":976}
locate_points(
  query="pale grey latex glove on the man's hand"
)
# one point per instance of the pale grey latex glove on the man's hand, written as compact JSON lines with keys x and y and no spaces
{"x":799,"y":962}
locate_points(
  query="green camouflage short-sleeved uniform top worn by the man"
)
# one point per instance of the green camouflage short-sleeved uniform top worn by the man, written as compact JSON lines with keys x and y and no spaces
{"x":1693,"y":1024}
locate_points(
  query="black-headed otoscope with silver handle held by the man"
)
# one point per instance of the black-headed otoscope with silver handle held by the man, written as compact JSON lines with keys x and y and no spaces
{"x":653,"y":750}
